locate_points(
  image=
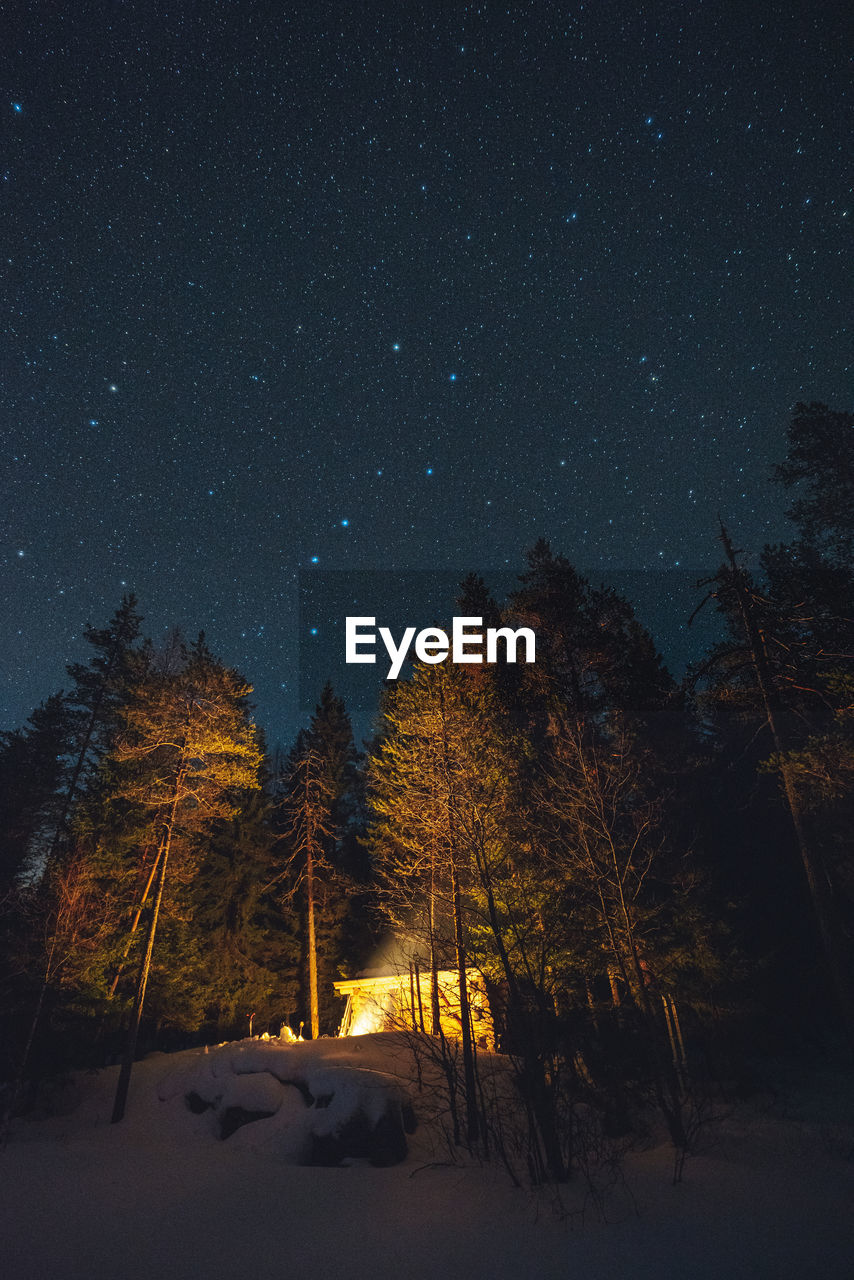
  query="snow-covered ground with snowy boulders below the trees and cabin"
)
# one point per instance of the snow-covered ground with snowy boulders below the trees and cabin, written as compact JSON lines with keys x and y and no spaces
{"x":162,"y":1195}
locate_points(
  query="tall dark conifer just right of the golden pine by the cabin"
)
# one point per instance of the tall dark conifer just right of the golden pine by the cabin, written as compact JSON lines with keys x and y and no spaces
{"x":609,"y":738}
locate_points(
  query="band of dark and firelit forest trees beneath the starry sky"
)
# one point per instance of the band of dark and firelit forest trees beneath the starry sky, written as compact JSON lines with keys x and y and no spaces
{"x":655,"y":879}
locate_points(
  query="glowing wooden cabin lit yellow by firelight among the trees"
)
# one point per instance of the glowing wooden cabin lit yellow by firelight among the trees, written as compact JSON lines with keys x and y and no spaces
{"x":401,"y":1002}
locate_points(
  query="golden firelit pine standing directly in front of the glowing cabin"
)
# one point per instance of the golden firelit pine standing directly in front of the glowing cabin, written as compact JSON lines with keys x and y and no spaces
{"x":440,"y":781}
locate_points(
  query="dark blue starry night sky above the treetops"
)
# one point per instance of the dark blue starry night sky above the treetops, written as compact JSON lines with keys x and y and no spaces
{"x":305,"y":287}
